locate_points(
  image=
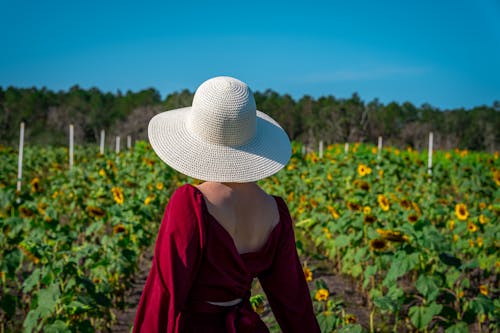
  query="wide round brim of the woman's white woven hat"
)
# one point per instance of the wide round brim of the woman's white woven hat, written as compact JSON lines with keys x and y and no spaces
{"x":266,"y":153}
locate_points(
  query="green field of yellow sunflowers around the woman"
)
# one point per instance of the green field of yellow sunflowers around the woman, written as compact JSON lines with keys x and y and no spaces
{"x":422,"y":248}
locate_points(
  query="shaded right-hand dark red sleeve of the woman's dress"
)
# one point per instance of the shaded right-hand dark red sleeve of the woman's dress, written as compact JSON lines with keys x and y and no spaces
{"x":286,"y":288}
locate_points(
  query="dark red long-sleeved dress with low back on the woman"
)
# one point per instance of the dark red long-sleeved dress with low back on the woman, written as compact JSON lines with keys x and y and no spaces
{"x":196,"y":260}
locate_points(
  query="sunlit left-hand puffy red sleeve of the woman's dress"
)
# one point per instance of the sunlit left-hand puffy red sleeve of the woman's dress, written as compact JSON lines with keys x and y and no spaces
{"x":176,"y":258}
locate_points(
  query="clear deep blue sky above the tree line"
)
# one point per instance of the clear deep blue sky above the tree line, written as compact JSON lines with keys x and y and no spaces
{"x":445,"y":53}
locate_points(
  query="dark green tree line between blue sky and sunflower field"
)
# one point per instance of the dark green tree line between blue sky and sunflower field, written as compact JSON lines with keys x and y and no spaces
{"x":47,"y":115}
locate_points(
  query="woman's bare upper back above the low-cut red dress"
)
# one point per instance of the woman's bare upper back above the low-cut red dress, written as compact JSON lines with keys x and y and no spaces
{"x":244,"y":210}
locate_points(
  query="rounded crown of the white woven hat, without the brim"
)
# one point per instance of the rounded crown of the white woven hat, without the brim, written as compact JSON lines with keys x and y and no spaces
{"x":223,"y":112}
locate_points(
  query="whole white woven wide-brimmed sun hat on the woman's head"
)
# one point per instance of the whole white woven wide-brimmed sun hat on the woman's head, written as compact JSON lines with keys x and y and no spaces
{"x":222,"y":137}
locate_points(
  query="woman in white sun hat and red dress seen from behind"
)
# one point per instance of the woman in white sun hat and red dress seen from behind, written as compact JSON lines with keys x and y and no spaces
{"x":217,"y":237}
